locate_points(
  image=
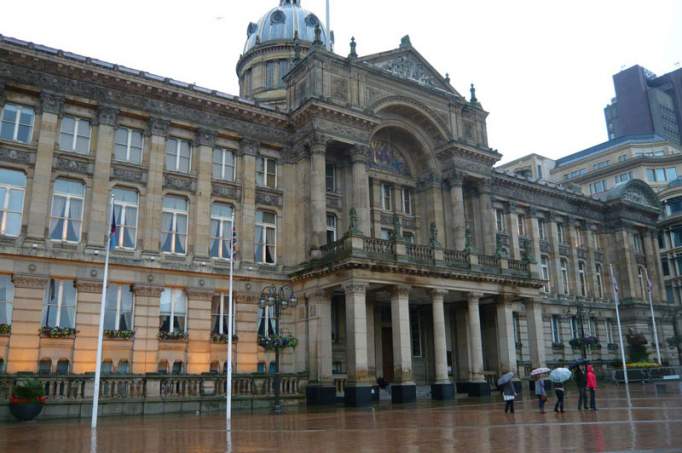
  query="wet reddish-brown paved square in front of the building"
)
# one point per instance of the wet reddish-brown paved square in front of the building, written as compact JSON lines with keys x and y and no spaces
{"x":654,"y":424}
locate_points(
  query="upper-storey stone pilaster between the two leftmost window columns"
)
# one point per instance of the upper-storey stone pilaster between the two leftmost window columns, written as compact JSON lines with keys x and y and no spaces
{"x":39,"y":208}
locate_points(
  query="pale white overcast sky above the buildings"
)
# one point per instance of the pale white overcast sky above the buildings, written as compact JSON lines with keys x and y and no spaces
{"x":542,"y":68}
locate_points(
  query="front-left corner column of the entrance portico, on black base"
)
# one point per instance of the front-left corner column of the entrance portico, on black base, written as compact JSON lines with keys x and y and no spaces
{"x":358,"y":390}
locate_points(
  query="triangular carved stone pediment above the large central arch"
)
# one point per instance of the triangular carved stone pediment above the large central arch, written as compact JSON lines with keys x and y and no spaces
{"x":407,"y":63}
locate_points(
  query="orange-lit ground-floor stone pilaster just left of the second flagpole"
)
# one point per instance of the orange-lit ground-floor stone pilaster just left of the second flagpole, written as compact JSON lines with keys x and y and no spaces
{"x":199,"y":329}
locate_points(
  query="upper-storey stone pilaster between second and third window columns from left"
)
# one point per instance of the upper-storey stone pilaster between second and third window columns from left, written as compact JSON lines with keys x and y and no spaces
{"x":100,"y":203}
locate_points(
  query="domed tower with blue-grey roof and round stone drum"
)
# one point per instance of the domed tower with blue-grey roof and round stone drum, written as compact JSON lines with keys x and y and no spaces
{"x":272,"y":44}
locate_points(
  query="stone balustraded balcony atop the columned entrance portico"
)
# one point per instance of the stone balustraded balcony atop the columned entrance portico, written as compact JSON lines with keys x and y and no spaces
{"x":355,"y":250}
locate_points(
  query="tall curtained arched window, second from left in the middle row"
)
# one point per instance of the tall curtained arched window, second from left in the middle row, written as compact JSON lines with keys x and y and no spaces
{"x":67,"y":210}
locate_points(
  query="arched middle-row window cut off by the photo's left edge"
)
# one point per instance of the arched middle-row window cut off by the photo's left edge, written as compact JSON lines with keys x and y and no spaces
{"x":12,"y":188}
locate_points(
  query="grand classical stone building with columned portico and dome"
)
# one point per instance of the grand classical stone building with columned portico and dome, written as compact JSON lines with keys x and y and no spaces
{"x":364,"y":183}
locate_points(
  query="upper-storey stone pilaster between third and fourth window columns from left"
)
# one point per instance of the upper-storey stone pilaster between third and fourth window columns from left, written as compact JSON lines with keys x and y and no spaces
{"x":151,"y":228}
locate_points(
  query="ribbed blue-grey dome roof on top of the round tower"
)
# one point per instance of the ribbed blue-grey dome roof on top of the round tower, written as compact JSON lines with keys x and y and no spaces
{"x":282,"y":24}
